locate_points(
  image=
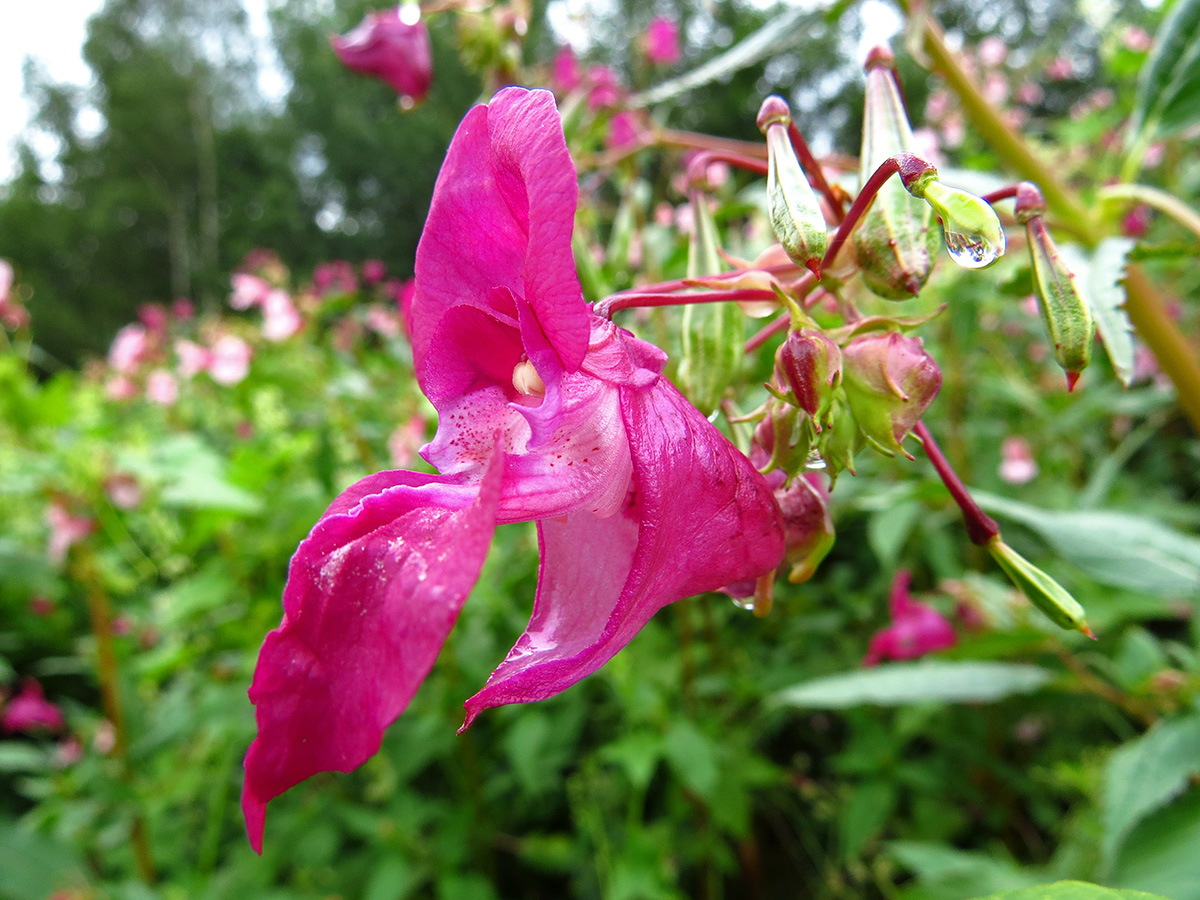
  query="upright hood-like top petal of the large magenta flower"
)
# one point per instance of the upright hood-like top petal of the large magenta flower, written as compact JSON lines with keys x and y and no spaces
{"x":502,"y":217}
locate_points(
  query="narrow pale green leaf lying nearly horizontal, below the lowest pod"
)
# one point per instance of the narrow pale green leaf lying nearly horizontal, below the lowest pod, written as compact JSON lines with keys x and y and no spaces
{"x":931,"y":681}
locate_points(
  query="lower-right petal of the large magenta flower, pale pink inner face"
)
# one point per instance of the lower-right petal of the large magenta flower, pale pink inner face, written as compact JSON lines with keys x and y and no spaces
{"x":701,"y":518}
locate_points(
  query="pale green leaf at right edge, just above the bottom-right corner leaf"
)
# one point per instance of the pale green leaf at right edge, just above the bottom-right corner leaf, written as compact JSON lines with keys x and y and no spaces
{"x":1145,"y":776}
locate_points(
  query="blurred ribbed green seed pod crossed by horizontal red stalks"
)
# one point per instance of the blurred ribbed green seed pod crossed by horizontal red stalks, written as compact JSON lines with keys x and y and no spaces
{"x":713,"y":334}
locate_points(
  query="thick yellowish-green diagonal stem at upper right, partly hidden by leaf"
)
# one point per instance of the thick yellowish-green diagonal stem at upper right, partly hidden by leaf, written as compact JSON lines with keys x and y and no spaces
{"x":1143,"y":303}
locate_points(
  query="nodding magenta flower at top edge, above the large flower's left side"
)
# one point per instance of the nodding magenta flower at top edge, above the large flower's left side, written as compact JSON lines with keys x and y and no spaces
{"x":394,"y":47}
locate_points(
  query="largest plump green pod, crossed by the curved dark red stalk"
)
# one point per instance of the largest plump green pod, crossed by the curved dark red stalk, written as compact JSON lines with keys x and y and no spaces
{"x":897,"y":242}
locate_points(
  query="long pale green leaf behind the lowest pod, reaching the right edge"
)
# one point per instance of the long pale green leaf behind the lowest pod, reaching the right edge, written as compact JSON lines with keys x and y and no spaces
{"x":1117,"y":549}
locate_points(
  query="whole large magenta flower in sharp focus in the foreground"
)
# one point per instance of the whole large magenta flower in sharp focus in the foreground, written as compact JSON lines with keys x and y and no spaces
{"x":548,"y":413}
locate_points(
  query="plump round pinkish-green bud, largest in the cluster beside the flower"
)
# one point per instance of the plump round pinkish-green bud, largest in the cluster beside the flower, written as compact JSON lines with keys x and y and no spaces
{"x":890,"y":383}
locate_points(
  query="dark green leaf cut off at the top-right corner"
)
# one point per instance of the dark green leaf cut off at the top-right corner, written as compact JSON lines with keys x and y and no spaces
{"x":1169,"y":86}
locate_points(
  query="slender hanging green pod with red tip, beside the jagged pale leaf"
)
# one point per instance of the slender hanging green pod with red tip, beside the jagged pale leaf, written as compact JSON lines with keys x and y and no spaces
{"x":1065,"y":314}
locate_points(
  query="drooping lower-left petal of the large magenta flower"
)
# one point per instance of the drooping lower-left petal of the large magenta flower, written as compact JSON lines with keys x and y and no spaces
{"x":373,"y":593}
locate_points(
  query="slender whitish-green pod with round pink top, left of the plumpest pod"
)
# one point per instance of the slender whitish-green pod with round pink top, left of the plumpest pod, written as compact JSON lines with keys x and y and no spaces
{"x":795,"y":212}
